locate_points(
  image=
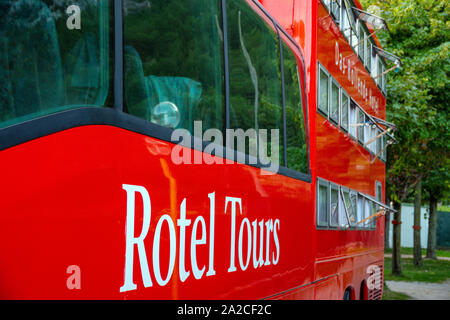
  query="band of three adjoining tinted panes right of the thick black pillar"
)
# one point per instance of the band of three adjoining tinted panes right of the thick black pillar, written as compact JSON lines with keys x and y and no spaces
{"x":175,"y":76}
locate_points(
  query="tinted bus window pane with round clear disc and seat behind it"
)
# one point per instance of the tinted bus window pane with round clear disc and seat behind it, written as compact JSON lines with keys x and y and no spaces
{"x":174,"y":71}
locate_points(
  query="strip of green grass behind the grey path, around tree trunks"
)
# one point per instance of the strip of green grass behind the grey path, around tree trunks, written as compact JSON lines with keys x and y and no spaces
{"x":435,"y":271}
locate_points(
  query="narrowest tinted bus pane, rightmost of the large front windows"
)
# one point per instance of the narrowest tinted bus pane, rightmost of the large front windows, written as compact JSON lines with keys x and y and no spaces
{"x":297,"y":157}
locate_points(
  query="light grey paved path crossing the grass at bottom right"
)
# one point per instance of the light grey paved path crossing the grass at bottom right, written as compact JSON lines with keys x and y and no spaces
{"x":422,"y":290}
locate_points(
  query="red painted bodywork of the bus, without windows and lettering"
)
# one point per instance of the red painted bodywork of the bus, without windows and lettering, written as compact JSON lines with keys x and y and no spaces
{"x":64,"y":203}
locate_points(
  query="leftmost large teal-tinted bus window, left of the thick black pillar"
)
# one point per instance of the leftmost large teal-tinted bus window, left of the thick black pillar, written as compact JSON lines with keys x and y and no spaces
{"x":52,"y":59}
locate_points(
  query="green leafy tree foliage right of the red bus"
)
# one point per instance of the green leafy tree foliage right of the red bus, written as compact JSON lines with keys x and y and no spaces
{"x":418,"y":94}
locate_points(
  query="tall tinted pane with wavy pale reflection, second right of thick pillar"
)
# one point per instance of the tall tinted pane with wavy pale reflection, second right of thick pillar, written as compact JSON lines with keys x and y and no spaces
{"x":255,"y":73}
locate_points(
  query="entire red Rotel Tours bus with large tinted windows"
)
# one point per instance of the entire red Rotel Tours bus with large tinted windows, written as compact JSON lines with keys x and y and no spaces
{"x":123,"y":176}
